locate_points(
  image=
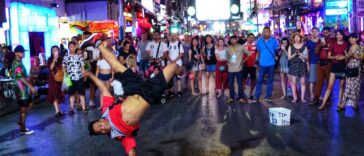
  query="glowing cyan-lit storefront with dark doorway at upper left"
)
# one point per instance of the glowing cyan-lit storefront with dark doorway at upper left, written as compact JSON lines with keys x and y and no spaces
{"x":35,"y":28}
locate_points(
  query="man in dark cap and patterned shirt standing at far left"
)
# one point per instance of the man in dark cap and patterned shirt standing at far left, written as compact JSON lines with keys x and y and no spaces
{"x":22,"y":89}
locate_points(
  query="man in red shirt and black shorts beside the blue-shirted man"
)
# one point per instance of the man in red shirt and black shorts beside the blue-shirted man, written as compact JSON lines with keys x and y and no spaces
{"x":249,"y":66}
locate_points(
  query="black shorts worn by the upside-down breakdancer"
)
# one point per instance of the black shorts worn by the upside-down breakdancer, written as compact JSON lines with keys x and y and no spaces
{"x":151,"y":90}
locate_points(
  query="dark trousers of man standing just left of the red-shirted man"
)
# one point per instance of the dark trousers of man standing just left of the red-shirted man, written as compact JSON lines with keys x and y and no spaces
{"x":239,"y":77}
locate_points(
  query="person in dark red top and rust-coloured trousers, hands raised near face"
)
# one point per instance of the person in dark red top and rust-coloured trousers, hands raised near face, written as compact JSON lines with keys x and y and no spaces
{"x":324,"y":64}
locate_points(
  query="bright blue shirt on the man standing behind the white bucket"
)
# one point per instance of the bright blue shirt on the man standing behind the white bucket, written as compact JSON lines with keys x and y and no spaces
{"x":267,"y":56}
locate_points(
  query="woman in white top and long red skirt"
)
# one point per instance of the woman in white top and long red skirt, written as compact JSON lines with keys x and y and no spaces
{"x":221,"y":67}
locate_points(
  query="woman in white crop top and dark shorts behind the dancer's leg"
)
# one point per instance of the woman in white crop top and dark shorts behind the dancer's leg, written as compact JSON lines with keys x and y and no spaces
{"x":104,"y":73}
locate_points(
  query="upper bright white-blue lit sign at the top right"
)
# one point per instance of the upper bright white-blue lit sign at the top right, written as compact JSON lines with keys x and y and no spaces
{"x":336,"y":7}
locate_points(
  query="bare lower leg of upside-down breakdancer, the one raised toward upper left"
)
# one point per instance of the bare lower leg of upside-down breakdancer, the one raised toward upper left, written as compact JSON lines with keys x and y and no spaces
{"x":111,"y":59}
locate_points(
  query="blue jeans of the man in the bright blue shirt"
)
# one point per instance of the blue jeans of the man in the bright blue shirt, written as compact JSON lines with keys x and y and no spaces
{"x":263,"y":70}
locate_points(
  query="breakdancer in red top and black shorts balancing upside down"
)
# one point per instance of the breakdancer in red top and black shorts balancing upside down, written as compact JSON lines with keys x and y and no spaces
{"x":121,"y":120}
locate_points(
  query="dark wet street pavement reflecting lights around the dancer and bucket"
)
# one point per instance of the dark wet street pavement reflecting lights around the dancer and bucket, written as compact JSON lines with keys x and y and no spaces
{"x":196,"y":126}
